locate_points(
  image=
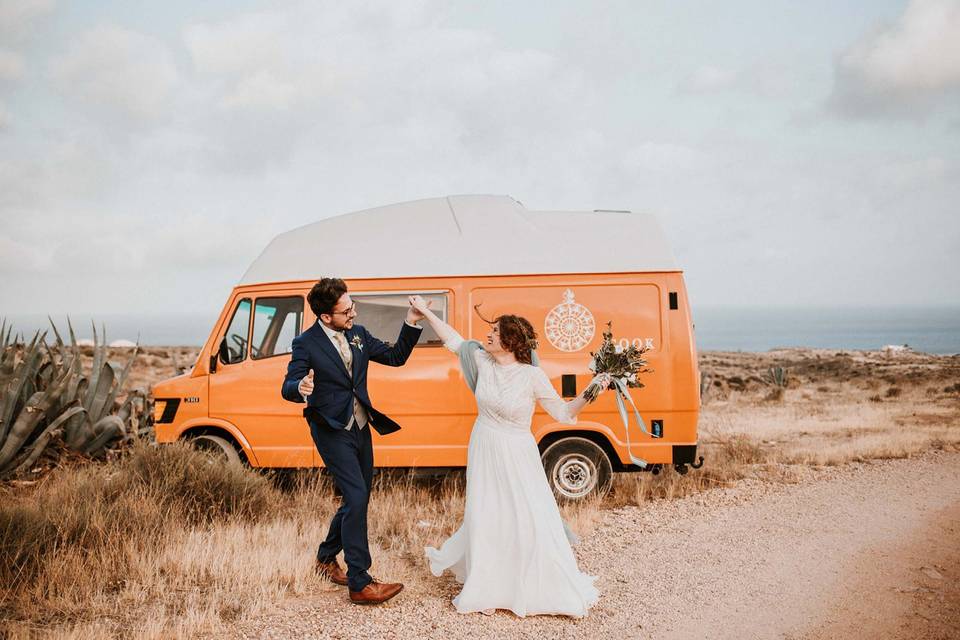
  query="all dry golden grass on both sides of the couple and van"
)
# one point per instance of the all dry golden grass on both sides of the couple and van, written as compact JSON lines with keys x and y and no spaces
{"x":162,"y":544}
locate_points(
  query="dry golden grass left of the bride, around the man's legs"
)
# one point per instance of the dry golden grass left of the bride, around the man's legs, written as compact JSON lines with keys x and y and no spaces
{"x":165,"y":544}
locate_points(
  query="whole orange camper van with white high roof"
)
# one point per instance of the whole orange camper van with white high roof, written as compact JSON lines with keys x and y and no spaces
{"x":568,"y":272}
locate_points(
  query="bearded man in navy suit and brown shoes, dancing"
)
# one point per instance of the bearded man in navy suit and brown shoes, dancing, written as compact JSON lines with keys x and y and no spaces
{"x":328,"y":371}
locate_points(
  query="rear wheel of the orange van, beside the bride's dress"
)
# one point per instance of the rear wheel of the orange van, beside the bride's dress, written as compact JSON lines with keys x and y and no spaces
{"x":577,"y":468}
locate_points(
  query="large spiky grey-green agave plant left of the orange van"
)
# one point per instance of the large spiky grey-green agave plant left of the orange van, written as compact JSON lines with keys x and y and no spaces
{"x":45,"y":396}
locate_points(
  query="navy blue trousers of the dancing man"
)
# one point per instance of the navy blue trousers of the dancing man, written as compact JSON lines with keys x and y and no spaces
{"x":348,"y":456}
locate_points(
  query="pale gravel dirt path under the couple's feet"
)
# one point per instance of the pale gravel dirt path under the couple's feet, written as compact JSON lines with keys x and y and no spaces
{"x":862,"y":551}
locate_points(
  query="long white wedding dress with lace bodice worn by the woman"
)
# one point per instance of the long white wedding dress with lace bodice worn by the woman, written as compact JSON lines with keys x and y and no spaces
{"x":512,"y":551}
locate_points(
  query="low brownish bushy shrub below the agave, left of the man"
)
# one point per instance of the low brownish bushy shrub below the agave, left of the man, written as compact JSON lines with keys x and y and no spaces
{"x":98,"y":510}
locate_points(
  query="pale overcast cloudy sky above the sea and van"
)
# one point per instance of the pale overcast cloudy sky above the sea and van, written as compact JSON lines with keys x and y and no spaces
{"x":796,"y":152}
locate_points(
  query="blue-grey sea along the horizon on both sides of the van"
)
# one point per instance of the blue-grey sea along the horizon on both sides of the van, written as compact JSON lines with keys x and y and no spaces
{"x":927,"y":329}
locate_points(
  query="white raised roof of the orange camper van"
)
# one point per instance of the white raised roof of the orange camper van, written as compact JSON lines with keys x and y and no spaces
{"x":463,"y":236}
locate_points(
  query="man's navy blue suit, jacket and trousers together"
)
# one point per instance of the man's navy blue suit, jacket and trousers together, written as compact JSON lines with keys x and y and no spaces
{"x":348,"y":455}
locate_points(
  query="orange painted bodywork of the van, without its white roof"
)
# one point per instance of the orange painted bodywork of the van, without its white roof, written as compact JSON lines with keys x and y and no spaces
{"x":428,"y":396}
